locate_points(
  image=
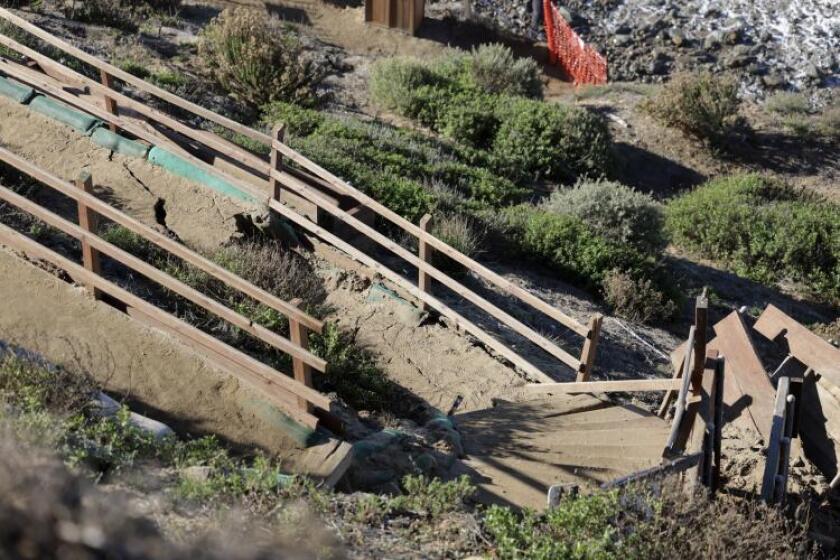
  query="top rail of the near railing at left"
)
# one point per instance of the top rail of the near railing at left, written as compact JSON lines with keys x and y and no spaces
{"x":162,"y":241}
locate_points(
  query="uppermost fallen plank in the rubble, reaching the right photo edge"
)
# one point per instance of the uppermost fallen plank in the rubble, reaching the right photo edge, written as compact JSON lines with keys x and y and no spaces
{"x":806,"y":346}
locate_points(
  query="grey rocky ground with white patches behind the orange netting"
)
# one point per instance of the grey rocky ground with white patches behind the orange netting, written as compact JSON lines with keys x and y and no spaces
{"x":772,"y":44}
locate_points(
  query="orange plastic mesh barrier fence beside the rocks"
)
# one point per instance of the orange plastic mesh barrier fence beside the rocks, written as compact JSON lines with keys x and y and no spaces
{"x":582,"y":63}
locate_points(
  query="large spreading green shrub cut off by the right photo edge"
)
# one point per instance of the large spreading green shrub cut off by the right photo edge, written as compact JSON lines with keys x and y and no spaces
{"x":761,"y":230}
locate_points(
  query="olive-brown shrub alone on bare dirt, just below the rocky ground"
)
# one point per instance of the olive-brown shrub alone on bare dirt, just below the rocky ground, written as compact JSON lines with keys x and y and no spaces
{"x":702,"y":105}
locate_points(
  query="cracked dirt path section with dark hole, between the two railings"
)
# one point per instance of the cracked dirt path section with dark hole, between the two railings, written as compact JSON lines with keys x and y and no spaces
{"x":198,"y":216}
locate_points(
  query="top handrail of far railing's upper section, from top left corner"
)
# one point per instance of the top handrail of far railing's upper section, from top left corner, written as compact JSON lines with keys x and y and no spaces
{"x":134,"y":80}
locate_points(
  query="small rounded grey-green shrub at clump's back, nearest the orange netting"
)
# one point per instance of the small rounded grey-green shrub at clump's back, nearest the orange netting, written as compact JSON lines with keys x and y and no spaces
{"x":494,"y":69}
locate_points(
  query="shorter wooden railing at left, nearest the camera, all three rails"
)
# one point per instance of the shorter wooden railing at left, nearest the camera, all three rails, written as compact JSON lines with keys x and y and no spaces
{"x":294,"y":395}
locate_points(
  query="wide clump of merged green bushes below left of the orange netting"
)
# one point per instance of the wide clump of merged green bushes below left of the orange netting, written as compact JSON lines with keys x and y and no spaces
{"x":471,"y":100}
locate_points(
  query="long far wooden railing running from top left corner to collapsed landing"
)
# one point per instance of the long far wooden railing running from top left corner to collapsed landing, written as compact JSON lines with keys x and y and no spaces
{"x":288,"y":170}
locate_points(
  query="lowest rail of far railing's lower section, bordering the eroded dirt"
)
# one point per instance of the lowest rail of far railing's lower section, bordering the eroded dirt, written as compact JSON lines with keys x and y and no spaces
{"x":412,"y":289}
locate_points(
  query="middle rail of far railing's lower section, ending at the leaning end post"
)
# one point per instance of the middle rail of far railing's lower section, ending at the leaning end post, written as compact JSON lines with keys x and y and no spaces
{"x":514,"y":324}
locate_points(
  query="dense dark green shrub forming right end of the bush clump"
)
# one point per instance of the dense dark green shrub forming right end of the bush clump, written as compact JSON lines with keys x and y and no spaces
{"x":551,"y":141}
